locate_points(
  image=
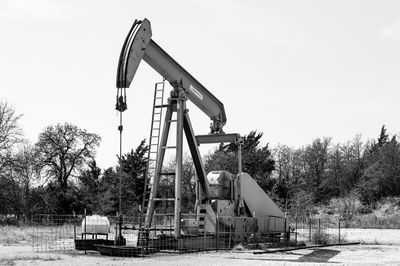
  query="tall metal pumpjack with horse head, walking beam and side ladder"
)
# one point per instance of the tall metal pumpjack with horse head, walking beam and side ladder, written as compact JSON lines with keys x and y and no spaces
{"x":223,"y":199}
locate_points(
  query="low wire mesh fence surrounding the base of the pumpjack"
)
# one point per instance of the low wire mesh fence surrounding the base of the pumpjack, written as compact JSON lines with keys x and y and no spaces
{"x":80,"y":232}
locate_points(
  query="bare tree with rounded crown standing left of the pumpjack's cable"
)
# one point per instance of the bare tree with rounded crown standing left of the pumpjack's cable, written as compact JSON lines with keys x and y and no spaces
{"x":63,"y":150}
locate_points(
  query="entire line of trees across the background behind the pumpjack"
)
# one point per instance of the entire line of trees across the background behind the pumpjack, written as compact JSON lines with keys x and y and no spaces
{"x":58,"y":174}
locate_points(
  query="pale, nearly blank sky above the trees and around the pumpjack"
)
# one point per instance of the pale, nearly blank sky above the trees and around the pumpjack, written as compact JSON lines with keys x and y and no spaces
{"x":295,"y":70}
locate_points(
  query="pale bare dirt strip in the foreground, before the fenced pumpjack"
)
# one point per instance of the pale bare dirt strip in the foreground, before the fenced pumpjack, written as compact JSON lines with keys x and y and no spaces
{"x":23,"y":254}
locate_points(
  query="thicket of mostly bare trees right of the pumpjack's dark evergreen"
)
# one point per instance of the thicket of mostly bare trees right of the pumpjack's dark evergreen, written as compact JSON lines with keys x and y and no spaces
{"x":323,"y":170}
